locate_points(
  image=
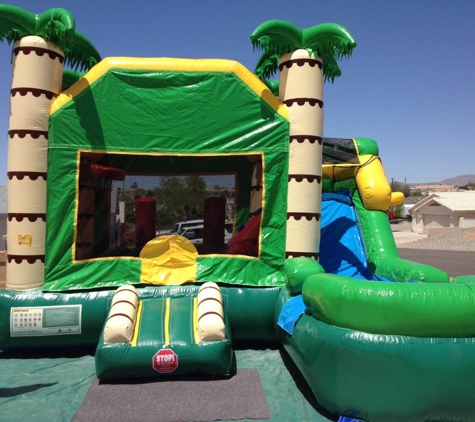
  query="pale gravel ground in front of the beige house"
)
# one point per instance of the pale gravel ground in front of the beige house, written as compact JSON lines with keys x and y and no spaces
{"x":452,"y":240}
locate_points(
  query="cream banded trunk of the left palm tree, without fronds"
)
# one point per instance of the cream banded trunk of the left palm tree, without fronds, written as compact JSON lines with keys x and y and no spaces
{"x":37,"y":75}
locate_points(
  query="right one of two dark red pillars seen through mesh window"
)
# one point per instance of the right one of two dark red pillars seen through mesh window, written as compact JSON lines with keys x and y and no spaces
{"x":213,"y":228}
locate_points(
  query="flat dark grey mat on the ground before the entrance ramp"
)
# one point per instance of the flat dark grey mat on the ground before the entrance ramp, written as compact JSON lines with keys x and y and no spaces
{"x":192,"y":399}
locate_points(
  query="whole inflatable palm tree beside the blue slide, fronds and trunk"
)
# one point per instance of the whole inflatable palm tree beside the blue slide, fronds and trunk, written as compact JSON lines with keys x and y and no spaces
{"x":304,"y":58}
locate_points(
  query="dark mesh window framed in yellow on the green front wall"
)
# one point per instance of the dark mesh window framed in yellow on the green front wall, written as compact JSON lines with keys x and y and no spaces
{"x":125,"y":200}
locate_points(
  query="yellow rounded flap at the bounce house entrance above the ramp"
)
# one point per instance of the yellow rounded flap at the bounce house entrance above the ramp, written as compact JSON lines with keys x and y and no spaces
{"x":168,"y":260}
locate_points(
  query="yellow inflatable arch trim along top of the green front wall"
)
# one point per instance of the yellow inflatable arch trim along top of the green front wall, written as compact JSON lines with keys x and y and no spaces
{"x":184,"y":65}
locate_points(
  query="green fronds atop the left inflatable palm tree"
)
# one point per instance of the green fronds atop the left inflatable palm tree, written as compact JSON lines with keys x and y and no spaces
{"x":55,"y":25}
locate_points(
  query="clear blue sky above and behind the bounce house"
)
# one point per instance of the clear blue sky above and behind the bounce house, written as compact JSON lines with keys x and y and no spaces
{"x":410,"y":83}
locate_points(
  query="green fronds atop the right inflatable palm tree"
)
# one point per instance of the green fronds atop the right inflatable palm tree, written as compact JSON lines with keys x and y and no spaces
{"x":330,"y":41}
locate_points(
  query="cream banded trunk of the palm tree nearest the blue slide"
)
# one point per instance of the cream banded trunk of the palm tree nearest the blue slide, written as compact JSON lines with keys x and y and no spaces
{"x":301,"y":90}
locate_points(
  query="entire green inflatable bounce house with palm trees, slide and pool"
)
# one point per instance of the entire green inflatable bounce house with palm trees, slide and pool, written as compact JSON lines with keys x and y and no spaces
{"x":314,"y":265}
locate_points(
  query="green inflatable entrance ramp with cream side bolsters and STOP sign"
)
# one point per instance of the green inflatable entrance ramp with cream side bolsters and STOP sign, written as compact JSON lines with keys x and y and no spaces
{"x":165,"y":336}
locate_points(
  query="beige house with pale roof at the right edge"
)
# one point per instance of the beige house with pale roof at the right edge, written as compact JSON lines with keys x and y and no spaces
{"x":444,"y":210}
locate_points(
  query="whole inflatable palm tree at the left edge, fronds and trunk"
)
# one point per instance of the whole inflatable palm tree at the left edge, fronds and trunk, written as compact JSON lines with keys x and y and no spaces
{"x":42,"y":43}
